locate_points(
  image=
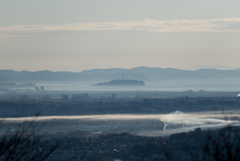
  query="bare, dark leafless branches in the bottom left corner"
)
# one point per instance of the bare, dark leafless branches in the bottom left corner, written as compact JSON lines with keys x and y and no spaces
{"x":24,"y":144}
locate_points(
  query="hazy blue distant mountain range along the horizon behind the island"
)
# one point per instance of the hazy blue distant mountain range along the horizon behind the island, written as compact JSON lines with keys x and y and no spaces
{"x":138,"y":73}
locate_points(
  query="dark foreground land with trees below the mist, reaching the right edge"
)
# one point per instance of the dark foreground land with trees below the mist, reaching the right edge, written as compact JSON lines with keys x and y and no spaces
{"x":211,"y":145}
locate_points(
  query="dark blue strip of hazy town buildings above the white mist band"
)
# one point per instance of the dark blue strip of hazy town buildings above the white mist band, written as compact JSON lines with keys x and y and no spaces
{"x":85,"y":104}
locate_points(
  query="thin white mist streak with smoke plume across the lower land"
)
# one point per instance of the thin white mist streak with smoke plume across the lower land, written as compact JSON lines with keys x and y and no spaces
{"x":177,"y":121}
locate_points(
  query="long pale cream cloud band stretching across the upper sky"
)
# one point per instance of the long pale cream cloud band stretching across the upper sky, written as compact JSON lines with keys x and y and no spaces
{"x":212,"y":25}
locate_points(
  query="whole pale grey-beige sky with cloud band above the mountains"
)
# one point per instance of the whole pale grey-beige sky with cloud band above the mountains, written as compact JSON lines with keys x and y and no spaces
{"x":76,"y":35}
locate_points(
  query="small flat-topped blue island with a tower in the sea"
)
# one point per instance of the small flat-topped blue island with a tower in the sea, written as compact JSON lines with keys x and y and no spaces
{"x":122,"y":82}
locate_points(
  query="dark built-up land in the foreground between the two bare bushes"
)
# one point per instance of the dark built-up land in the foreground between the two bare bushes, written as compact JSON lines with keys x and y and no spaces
{"x":127,"y":147}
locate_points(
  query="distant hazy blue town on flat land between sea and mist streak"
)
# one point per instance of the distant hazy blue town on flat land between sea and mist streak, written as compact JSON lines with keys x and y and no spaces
{"x":19,"y":103}
